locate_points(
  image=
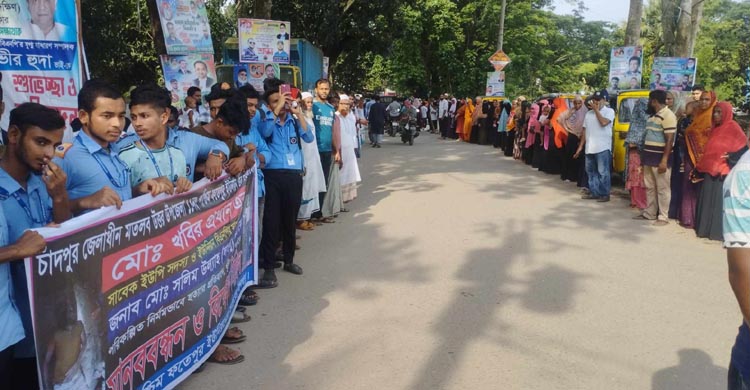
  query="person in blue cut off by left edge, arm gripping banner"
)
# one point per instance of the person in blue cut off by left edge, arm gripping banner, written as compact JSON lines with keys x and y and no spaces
{"x":11,"y":327}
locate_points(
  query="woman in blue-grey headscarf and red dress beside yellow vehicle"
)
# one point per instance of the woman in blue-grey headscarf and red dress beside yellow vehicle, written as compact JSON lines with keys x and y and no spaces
{"x":634,"y":142}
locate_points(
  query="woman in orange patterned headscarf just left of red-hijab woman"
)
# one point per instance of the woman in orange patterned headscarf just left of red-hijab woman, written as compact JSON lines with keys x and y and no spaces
{"x":696,"y":137}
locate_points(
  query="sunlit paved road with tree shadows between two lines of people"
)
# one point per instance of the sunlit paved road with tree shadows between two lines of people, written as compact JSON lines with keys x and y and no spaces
{"x":462,"y":269}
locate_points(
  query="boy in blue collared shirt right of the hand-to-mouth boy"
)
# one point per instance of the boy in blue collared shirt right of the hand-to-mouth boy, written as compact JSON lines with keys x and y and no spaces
{"x":96,"y":176}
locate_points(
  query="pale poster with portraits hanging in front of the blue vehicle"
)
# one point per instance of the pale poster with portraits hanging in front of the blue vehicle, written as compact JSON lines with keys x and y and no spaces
{"x":264,"y":41}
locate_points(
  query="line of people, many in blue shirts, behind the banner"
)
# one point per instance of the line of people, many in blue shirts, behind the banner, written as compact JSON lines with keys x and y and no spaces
{"x":305,"y":150}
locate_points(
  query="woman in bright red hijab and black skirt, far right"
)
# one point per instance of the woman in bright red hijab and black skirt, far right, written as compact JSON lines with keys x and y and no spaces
{"x":727,"y":138}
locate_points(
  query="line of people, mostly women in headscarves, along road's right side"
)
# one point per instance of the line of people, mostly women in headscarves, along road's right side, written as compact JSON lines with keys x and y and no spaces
{"x":680,"y":147}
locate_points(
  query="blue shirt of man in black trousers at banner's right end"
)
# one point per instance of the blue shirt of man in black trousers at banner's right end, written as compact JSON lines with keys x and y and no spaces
{"x":286,"y":152}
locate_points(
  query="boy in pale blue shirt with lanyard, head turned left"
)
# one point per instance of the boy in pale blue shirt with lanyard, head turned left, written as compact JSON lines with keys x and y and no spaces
{"x":150,"y":157}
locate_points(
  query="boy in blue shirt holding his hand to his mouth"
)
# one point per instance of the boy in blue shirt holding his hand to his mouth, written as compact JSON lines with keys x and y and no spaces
{"x":32,"y":194}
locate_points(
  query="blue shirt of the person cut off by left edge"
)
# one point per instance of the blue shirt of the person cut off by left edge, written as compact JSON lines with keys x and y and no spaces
{"x":11,"y":327}
